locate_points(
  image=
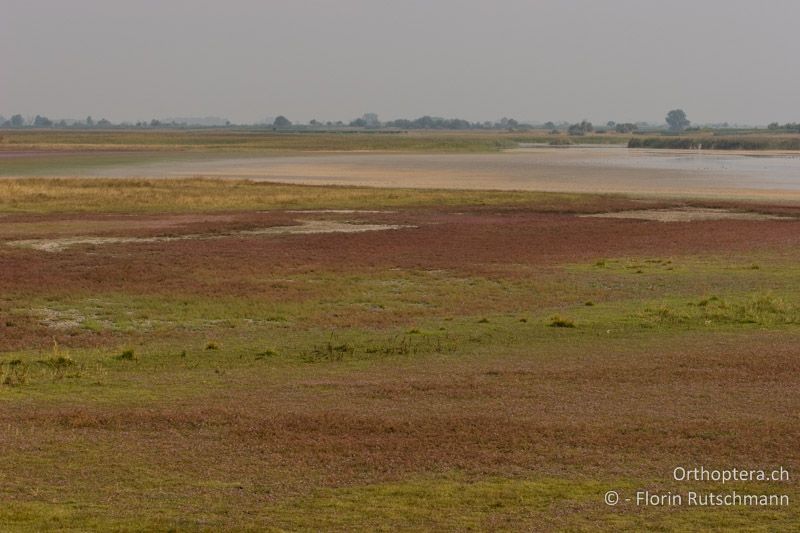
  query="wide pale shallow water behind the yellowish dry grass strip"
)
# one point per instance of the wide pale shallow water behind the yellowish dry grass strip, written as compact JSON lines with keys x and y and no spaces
{"x":574,"y":169}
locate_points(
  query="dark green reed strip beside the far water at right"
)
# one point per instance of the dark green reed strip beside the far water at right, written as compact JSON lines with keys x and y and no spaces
{"x":755,"y":142}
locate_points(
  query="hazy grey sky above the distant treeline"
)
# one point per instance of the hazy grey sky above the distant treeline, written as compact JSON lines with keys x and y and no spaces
{"x":626,"y":60}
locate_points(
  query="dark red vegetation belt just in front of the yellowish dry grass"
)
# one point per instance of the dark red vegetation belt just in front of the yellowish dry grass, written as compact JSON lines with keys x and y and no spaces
{"x":471,"y":242}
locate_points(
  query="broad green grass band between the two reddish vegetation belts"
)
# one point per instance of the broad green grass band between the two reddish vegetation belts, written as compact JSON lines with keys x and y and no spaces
{"x":399,"y":315}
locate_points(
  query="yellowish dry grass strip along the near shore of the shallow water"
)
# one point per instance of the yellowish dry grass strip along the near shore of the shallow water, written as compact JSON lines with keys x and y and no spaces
{"x":206,"y":195}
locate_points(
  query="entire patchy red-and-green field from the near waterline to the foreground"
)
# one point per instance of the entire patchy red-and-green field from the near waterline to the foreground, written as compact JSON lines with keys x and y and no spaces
{"x":492,"y":362}
